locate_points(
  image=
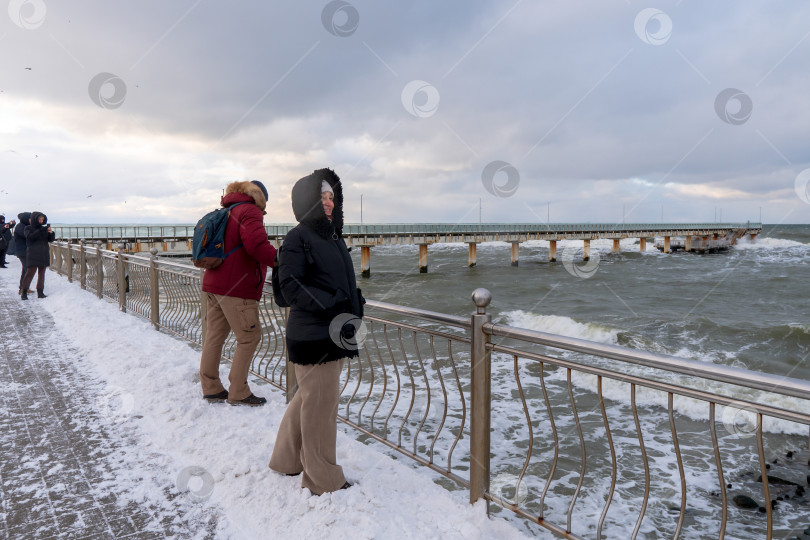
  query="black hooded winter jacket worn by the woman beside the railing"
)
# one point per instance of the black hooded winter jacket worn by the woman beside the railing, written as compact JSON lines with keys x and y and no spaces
{"x":317,"y":278}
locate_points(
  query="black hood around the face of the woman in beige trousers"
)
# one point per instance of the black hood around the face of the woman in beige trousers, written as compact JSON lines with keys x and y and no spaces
{"x":307,"y":207}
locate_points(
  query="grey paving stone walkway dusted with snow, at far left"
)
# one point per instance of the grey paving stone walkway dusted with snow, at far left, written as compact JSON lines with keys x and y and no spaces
{"x":60,"y":452}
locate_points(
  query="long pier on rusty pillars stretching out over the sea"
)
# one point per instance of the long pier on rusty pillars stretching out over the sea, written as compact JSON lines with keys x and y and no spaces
{"x":166,"y":237}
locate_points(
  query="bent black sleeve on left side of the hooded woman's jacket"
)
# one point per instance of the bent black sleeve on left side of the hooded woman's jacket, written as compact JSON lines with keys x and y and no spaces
{"x":297,"y":291}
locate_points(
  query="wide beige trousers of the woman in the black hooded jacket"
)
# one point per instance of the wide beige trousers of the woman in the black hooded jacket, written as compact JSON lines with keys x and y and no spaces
{"x":307,"y":436}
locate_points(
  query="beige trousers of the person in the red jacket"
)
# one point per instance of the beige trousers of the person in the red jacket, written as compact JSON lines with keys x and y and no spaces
{"x":226,"y":313}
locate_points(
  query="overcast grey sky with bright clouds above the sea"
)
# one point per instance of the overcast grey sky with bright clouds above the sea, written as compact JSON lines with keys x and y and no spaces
{"x":433,"y":111}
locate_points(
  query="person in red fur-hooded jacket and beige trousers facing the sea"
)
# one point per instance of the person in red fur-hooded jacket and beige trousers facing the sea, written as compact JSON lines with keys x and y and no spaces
{"x":233,"y":291}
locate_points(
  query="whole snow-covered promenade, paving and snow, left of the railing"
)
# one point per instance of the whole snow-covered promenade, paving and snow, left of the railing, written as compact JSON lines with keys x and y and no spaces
{"x":105,"y":435}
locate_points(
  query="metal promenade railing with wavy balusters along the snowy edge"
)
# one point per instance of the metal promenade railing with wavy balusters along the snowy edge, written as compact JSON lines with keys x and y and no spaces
{"x":581,"y":438}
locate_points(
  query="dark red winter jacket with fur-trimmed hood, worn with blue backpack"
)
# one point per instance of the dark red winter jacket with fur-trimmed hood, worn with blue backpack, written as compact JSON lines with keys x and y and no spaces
{"x":242,"y":274}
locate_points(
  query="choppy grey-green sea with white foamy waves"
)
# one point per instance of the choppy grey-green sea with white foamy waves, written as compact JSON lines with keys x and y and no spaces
{"x":746,"y":307}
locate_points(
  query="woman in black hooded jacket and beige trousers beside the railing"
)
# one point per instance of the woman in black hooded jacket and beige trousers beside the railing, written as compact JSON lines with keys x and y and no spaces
{"x":317,"y":280}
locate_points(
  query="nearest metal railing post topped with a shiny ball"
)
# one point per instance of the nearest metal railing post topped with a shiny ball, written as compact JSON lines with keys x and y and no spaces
{"x":480,"y":375}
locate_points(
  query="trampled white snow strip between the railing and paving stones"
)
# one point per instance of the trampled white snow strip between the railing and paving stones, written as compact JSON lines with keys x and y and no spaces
{"x":151,"y":391}
